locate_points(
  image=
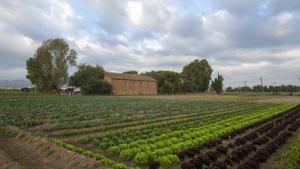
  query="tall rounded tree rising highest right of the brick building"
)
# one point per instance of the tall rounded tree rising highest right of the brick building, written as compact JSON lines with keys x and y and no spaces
{"x":199,"y":74}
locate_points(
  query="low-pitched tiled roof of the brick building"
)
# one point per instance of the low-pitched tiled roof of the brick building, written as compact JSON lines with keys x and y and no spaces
{"x":124,"y":76}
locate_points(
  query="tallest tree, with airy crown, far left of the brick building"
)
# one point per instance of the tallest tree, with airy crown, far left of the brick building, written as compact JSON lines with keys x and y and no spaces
{"x":48,"y":68}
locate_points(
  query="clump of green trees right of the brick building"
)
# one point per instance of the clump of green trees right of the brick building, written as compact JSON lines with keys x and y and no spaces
{"x":195,"y":77}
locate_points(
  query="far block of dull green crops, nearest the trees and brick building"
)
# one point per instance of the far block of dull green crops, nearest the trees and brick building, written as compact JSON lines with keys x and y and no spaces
{"x":30,"y":111}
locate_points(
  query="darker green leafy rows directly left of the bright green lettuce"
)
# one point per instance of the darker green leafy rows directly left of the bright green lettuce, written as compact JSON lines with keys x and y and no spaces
{"x":181,"y":123}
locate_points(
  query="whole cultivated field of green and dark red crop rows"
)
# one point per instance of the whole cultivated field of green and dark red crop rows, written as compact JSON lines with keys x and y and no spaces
{"x":135,"y":132}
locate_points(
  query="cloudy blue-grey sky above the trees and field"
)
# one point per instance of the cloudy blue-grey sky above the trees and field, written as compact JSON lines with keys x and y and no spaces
{"x":241,"y":39}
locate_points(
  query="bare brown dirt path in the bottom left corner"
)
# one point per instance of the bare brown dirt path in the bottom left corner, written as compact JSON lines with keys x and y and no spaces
{"x":27,"y":151}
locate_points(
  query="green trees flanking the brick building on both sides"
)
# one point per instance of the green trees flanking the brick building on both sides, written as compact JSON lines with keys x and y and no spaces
{"x":47,"y":70}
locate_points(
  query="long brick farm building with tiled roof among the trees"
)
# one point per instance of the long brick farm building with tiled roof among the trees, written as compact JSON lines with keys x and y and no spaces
{"x":129,"y":84}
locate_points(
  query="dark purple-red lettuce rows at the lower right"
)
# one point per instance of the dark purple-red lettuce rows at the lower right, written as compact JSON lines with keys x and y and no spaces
{"x":237,"y":149}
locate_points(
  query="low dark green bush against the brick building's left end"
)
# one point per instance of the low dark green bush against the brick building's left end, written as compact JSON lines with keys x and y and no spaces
{"x":96,"y":86}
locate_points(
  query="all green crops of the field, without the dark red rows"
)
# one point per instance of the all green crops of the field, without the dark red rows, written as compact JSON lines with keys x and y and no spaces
{"x":165,"y":127}
